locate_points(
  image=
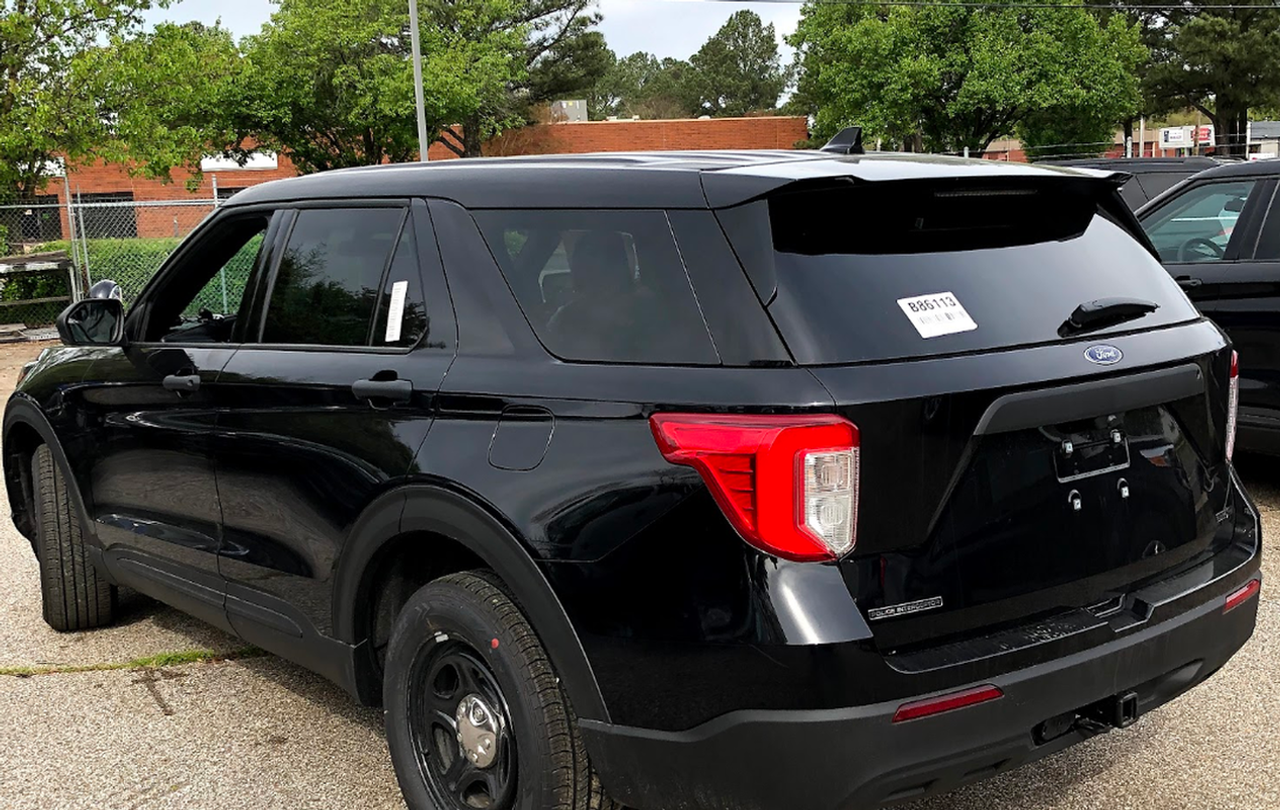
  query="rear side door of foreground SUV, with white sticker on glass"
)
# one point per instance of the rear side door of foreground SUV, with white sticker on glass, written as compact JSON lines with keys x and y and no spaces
{"x":326,"y":405}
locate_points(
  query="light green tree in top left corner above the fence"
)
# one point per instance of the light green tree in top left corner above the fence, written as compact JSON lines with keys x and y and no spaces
{"x":44,"y":113}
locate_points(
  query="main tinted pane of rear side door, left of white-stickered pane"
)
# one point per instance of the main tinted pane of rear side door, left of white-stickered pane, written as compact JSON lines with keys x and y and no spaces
{"x":331,"y":276}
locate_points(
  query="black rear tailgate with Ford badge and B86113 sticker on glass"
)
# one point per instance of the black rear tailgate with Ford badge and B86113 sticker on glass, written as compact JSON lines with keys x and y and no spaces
{"x":1012,"y":465}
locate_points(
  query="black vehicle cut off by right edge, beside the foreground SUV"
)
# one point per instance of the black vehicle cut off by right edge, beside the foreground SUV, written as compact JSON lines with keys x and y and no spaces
{"x":1219,"y":237}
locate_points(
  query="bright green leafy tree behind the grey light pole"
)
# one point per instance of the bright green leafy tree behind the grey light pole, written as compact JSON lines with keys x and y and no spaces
{"x":331,"y":81}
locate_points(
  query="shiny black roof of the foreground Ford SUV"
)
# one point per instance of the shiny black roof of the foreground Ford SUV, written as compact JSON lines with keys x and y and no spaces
{"x":627,"y":180}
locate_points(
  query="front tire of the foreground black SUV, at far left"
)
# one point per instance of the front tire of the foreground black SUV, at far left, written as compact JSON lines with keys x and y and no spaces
{"x":75,"y":596}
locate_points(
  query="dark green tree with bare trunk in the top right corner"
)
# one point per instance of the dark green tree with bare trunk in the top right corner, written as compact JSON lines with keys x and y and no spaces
{"x":1219,"y":61}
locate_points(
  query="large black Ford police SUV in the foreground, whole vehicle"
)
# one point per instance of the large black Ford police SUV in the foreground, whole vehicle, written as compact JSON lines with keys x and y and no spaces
{"x":726,"y":480}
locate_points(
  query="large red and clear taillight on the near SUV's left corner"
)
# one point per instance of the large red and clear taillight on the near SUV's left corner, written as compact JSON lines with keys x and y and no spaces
{"x":788,"y":484}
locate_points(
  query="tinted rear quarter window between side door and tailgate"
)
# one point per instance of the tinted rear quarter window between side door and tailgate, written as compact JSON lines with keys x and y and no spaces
{"x":601,"y":286}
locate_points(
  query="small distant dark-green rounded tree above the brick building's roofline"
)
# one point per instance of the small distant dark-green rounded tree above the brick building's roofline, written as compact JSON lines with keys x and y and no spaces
{"x":738,"y":71}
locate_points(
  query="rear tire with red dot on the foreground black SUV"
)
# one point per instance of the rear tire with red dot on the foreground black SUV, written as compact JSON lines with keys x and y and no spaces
{"x":541,"y":758}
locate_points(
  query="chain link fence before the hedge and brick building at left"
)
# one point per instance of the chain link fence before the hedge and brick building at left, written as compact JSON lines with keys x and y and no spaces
{"x":75,"y":246}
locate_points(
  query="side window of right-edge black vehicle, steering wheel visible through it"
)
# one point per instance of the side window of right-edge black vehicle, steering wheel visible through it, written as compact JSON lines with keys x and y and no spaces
{"x":1197,"y":226}
